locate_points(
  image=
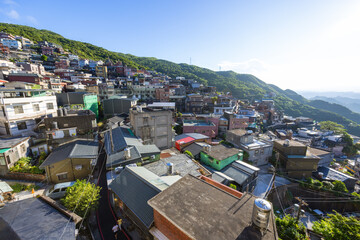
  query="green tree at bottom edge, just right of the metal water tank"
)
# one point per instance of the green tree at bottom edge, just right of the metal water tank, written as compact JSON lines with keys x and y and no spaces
{"x":289,"y":228}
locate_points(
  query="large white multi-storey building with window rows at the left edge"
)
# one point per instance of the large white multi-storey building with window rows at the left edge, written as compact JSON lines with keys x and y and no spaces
{"x":22,"y":109}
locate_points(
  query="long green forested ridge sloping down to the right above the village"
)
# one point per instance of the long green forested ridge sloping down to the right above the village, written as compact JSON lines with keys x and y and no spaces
{"x":240,"y":85}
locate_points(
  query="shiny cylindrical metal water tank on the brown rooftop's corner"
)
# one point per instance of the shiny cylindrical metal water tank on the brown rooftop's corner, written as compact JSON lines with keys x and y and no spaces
{"x":261,"y":213}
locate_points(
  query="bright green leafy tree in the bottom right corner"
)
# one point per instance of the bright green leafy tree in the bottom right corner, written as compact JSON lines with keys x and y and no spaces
{"x":338,"y":227}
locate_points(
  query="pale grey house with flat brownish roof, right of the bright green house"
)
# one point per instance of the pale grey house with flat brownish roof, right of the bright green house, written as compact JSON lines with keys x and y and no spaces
{"x":258,"y":150}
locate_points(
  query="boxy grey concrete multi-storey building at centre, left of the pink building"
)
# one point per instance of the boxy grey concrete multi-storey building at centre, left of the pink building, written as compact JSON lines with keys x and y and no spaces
{"x":153,"y":126}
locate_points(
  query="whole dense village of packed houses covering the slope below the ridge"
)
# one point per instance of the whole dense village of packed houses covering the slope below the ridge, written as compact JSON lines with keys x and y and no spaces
{"x":168,"y":154}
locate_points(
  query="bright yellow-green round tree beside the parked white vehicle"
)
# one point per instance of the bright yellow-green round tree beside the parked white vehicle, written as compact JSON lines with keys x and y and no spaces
{"x":80,"y":196}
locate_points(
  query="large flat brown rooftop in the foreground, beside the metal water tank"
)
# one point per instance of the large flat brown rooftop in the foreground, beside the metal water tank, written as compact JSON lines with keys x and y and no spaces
{"x":203,"y":211}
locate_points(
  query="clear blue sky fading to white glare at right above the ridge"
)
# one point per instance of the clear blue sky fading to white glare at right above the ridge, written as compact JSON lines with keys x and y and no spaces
{"x":302,"y":45}
